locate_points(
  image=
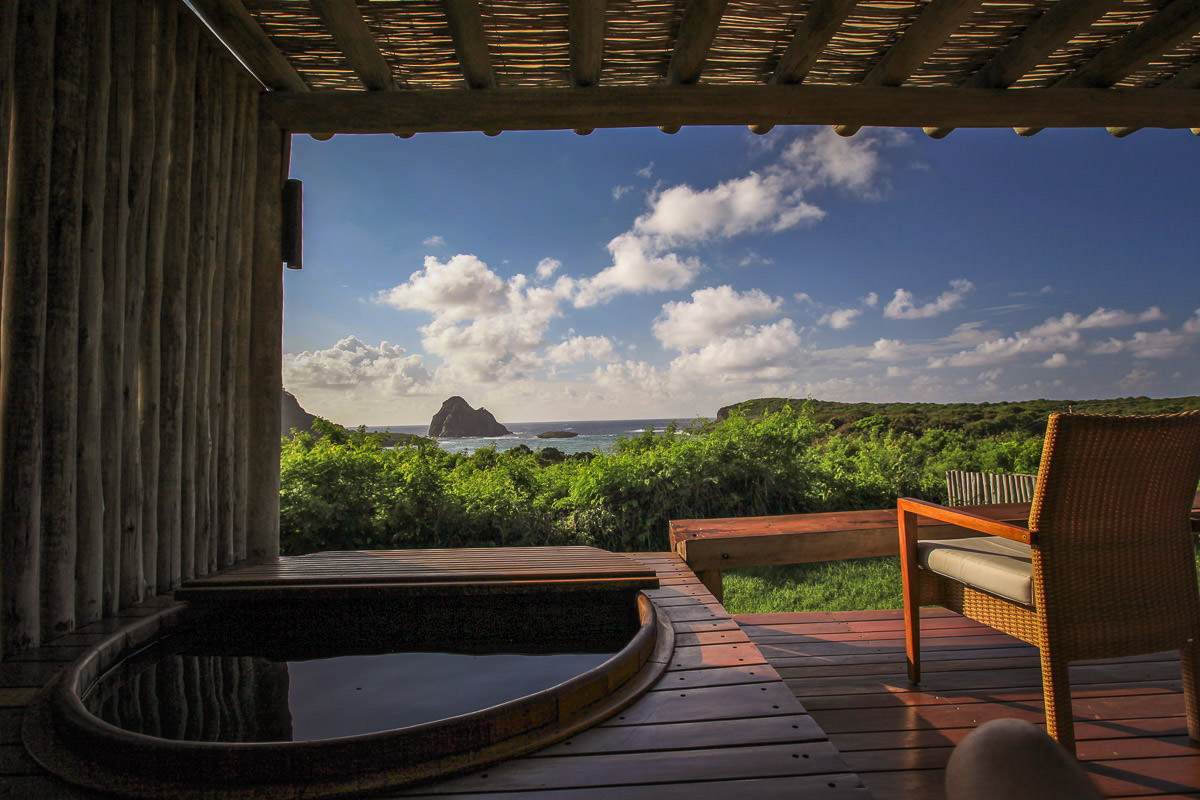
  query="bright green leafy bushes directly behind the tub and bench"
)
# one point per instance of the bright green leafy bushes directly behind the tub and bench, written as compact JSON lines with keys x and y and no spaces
{"x":346,"y":491}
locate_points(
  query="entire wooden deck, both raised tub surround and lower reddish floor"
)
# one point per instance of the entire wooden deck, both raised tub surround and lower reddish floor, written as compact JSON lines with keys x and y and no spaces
{"x":779,"y":706}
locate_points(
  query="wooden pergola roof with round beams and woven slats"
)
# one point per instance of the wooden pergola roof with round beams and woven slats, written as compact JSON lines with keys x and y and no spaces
{"x":406,"y":67}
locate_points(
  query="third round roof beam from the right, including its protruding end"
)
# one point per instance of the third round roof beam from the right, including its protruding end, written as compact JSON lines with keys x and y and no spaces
{"x":1046,"y":35}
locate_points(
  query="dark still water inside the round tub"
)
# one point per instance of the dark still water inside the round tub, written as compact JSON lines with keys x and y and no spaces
{"x":173,"y":693}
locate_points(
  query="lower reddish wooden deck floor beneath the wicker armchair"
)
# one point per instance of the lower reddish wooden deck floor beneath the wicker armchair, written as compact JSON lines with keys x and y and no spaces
{"x":848,"y":670}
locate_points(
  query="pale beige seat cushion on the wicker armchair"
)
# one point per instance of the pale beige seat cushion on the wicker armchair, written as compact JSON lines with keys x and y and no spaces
{"x":997,"y":566}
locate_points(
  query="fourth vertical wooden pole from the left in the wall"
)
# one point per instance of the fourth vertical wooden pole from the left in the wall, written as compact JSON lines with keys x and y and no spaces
{"x":117,"y":222}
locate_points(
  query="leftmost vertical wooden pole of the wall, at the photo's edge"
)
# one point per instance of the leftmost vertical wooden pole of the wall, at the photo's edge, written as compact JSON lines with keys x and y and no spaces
{"x":25,"y":327}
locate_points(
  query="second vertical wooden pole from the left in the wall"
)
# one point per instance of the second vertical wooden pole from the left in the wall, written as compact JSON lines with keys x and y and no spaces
{"x":62,"y":372}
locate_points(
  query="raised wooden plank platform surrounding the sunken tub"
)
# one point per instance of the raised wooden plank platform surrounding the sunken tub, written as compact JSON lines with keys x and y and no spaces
{"x":718,"y":725}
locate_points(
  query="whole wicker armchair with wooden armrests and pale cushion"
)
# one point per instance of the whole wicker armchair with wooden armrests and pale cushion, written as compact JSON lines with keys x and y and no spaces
{"x":1105,"y":569}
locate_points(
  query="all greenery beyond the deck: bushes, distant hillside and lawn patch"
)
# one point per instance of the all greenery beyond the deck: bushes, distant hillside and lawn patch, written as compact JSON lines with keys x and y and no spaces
{"x":349,"y":490}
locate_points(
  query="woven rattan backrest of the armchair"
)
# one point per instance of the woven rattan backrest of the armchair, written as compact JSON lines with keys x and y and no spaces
{"x":1113,"y":548}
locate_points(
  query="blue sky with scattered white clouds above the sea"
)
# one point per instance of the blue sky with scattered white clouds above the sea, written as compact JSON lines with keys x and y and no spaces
{"x":631,"y":274}
